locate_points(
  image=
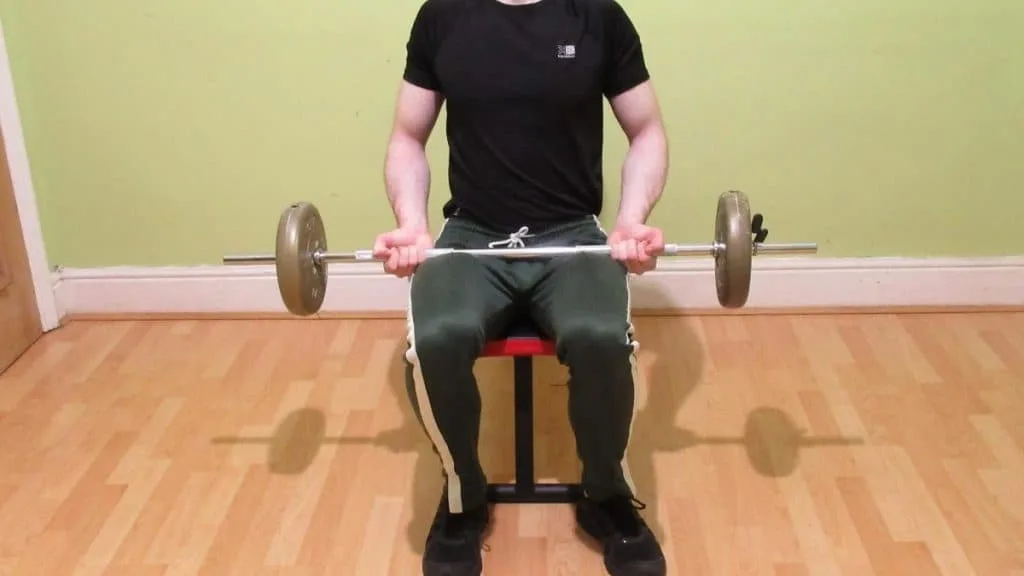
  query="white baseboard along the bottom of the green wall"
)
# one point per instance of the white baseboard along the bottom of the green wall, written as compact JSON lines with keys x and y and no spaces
{"x":812,"y":283}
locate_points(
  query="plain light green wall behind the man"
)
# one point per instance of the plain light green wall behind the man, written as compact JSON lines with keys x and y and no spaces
{"x":175,"y":133}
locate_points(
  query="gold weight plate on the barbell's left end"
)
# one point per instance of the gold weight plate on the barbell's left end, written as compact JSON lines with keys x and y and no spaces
{"x":302,"y":280}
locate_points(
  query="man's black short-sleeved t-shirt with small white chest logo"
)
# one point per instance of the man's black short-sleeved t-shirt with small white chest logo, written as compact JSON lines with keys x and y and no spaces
{"x":525,"y":89}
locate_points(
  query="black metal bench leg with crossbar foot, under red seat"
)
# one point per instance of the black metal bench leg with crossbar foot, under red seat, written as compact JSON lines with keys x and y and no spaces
{"x":526,"y":490}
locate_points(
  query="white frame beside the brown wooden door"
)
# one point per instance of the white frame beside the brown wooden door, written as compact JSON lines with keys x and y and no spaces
{"x":25,"y":195}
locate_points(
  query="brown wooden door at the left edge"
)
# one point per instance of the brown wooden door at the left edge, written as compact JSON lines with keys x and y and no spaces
{"x":20,"y":325}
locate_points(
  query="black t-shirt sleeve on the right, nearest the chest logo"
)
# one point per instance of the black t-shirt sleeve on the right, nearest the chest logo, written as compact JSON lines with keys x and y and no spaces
{"x":626,"y":67}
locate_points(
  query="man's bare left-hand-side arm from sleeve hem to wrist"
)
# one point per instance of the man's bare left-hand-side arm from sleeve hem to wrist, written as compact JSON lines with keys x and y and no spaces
{"x":407,"y":173}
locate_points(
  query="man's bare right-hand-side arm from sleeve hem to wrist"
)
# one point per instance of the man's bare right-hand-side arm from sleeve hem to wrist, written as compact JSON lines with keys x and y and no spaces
{"x":647,"y":166}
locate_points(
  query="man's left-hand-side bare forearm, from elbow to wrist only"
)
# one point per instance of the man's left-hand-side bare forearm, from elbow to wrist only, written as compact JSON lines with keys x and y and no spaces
{"x":407,"y":176}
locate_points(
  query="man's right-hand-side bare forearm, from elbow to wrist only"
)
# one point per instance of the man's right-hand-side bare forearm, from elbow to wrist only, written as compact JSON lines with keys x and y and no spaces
{"x":645,"y":176}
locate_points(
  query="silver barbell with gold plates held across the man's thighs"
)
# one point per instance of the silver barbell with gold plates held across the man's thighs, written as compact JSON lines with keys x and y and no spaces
{"x":302,"y":255}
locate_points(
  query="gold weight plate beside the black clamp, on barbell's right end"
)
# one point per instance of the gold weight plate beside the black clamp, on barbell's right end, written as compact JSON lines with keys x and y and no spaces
{"x":736,"y":250}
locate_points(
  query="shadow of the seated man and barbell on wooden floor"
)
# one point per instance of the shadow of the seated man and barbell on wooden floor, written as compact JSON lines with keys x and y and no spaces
{"x":771,"y":439}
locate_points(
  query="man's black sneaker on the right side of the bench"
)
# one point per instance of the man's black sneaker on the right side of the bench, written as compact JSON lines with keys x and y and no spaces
{"x":629,"y":546}
